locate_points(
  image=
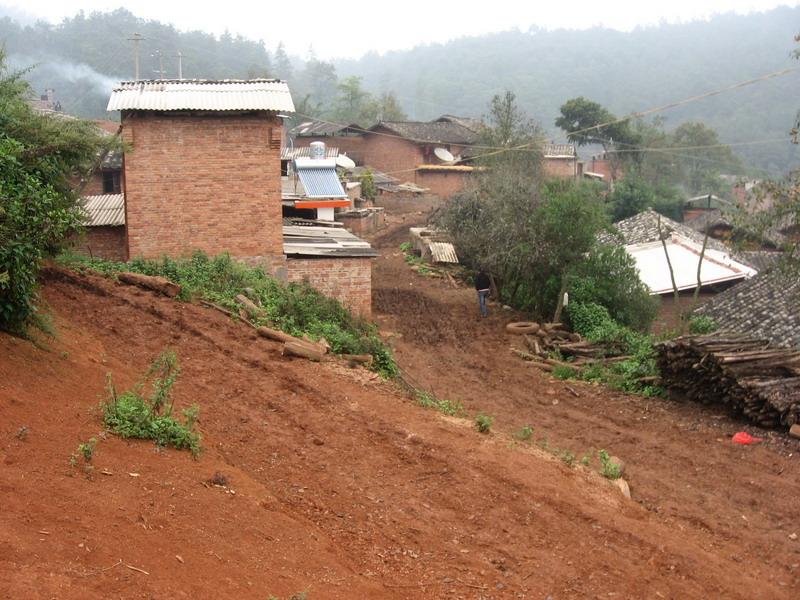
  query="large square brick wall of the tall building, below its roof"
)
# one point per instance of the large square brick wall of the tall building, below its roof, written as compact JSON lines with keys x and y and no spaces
{"x":203,"y":181}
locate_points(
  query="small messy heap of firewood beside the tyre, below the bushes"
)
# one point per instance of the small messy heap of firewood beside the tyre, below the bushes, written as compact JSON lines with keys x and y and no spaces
{"x":543,"y":340}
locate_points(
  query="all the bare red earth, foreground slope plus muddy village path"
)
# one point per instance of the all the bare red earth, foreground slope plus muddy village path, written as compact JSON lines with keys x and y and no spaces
{"x":338,"y":484}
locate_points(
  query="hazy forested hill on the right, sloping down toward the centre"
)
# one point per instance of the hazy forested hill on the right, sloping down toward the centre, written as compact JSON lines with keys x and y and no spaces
{"x":625,"y":72}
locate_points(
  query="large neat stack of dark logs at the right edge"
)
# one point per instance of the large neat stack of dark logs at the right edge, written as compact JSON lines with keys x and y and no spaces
{"x":746,"y":374}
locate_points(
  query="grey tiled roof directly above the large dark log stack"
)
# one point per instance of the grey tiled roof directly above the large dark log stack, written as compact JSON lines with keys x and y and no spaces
{"x":764,"y":306}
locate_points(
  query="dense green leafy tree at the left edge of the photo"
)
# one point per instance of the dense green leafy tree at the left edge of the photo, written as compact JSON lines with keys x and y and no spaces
{"x":40,"y":159}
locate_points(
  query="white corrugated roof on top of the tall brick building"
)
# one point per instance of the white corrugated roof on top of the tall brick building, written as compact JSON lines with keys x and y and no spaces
{"x":201,"y":94}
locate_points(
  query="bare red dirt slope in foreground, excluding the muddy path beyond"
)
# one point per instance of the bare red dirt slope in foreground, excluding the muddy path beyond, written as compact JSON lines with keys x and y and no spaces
{"x":342,"y":487}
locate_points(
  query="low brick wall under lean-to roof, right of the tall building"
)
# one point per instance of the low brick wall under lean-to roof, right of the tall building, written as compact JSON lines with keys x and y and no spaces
{"x":349,"y":280}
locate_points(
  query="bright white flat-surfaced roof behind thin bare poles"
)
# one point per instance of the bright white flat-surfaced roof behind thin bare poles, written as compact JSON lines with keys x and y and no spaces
{"x":684,"y":254}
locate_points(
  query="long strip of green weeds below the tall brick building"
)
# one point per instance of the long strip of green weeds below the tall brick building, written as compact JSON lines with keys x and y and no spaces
{"x":295,"y":308}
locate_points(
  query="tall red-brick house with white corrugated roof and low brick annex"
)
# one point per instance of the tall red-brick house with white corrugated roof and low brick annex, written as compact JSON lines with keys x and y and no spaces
{"x":204,"y":173}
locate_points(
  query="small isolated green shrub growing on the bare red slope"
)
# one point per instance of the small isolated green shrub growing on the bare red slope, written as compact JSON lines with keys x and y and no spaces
{"x":132,"y":415}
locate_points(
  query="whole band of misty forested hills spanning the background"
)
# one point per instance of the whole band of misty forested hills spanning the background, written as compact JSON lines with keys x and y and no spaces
{"x":625,"y":72}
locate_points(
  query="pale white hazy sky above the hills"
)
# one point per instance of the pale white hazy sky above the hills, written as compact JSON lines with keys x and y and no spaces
{"x":349,"y":28}
